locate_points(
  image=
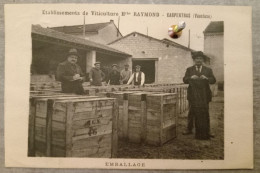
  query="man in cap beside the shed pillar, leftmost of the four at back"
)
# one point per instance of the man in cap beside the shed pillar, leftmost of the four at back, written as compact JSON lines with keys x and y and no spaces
{"x":96,"y":76}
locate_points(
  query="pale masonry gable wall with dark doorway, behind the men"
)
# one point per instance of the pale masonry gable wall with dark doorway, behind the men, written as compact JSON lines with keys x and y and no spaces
{"x":162,"y":61}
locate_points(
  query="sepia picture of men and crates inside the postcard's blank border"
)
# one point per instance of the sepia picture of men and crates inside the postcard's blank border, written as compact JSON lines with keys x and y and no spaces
{"x":168,"y":94}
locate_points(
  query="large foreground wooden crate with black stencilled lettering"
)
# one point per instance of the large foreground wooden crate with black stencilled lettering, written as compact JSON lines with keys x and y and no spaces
{"x":88,"y":129}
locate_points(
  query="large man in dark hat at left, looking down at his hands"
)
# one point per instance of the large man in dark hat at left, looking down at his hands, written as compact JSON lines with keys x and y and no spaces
{"x":70,"y":74}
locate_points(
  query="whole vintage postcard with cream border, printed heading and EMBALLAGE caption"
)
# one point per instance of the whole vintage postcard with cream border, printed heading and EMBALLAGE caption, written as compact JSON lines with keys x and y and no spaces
{"x":114,"y":86}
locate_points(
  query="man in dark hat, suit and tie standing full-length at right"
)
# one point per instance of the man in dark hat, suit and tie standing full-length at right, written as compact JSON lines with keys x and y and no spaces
{"x":199,"y":78}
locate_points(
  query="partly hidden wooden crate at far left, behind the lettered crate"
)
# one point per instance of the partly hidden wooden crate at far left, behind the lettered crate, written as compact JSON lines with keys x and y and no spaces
{"x":37,"y":122}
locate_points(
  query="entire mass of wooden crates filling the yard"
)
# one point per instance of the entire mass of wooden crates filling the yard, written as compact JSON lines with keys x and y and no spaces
{"x":68,"y":125}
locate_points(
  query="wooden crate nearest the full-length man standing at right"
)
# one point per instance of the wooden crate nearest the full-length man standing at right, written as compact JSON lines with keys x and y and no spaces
{"x":161,"y":118}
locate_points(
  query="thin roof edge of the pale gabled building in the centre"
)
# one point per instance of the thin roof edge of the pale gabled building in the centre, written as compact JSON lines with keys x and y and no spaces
{"x":165,"y":41}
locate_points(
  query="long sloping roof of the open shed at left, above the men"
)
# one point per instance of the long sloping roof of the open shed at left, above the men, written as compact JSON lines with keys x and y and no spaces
{"x":38,"y":30}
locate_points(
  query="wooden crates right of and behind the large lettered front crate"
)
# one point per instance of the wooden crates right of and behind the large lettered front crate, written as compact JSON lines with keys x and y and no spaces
{"x":146,"y":117}
